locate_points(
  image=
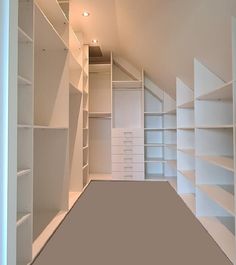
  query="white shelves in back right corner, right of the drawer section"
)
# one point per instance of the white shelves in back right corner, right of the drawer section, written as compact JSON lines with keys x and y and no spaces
{"x":159,"y":134}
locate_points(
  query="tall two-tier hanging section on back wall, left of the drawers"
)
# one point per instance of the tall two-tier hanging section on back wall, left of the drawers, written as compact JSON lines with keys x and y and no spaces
{"x":100,"y":109}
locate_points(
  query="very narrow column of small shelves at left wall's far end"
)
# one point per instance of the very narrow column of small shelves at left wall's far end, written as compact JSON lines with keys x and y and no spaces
{"x":85,"y":115}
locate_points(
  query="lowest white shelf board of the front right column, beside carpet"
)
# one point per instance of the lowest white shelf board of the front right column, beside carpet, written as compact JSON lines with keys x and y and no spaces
{"x":223,"y":237}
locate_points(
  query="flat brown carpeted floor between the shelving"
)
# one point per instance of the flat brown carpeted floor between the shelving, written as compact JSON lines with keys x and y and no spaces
{"x":131,"y":223}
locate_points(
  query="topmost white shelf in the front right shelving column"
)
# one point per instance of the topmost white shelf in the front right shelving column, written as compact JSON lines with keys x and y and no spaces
{"x":224,"y":92}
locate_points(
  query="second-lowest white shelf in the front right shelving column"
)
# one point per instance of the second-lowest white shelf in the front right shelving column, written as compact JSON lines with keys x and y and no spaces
{"x":220,"y":196}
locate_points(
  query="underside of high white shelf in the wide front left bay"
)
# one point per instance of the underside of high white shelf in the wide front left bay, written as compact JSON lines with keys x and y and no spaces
{"x":43,"y":28}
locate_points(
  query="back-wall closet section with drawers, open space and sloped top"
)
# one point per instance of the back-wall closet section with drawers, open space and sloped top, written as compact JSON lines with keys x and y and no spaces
{"x":127,"y":121}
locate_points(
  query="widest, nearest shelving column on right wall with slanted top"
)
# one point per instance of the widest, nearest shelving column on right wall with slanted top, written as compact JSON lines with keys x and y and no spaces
{"x":215,"y":157}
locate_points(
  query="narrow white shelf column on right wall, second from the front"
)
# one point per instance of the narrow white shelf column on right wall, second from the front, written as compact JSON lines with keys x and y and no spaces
{"x":185,"y":144}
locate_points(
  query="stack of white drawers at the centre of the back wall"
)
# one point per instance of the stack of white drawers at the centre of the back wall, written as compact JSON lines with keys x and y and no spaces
{"x":128,"y":154}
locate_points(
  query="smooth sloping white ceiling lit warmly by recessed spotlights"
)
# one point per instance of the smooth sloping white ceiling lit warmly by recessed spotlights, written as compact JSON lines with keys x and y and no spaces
{"x":162,"y":36}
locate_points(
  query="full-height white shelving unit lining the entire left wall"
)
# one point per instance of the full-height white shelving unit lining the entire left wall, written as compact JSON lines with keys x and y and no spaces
{"x":51,"y":100}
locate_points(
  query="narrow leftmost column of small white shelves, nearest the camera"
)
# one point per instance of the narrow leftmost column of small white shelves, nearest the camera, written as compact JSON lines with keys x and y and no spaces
{"x":25,"y":132}
